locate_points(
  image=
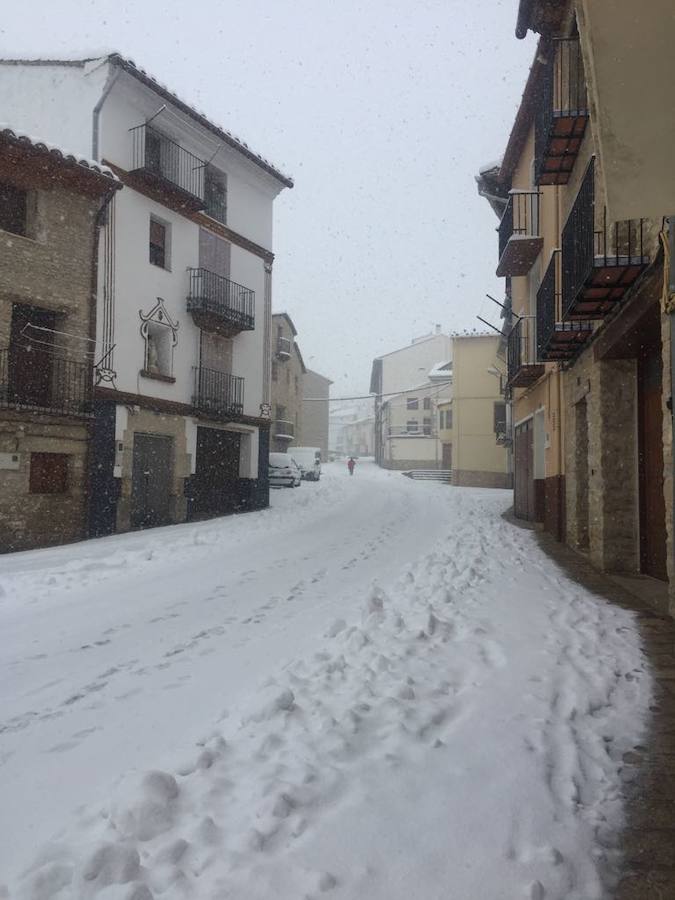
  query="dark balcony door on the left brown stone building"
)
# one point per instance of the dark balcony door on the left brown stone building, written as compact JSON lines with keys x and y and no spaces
{"x":31,"y":355}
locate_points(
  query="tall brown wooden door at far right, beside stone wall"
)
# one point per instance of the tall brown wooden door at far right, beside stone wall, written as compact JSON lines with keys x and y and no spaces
{"x":650,"y":466}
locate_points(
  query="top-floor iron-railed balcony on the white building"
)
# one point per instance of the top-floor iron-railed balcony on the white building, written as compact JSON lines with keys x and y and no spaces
{"x":163,"y":163}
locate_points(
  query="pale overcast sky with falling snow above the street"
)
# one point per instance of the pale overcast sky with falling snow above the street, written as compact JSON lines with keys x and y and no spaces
{"x":382,"y":112}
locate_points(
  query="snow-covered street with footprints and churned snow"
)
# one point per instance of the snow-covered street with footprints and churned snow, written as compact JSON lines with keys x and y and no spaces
{"x":377,"y":688}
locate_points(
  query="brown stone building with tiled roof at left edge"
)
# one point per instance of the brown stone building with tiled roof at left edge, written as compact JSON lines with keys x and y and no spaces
{"x":51,"y":208}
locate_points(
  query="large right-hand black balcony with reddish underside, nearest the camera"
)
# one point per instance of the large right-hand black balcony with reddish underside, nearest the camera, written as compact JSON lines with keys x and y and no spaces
{"x":600,"y":260}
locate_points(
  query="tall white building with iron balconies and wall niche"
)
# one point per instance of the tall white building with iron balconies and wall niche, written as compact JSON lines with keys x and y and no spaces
{"x":184,"y":290}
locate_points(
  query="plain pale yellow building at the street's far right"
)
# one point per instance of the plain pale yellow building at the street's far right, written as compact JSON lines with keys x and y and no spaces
{"x":472,"y":423}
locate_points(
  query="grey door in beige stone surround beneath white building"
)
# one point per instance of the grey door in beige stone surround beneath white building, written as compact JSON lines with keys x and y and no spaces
{"x":151,"y":480}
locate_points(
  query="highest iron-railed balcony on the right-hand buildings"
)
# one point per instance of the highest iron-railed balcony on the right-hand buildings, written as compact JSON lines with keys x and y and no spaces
{"x":561,"y":113}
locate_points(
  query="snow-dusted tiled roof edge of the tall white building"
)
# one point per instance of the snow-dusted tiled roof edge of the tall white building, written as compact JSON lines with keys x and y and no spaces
{"x":128,"y":65}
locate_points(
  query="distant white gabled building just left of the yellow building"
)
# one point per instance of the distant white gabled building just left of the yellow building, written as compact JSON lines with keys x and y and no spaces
{"x":407,"y":384}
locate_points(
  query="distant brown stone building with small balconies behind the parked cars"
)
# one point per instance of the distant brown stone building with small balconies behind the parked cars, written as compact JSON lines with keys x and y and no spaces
{"x":288,"y":372}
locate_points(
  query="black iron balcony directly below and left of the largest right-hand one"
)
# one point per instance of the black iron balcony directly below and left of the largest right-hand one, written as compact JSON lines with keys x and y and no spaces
{"x":556,"y":338}
